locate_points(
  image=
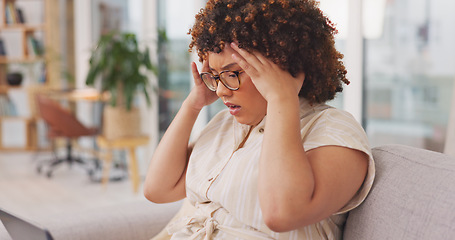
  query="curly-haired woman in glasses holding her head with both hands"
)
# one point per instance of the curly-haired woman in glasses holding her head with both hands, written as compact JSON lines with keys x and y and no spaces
{"x":278,"y":163}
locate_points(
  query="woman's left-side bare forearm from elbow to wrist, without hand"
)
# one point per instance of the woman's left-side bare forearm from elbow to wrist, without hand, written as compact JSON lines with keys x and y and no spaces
{"x":165,"y":175}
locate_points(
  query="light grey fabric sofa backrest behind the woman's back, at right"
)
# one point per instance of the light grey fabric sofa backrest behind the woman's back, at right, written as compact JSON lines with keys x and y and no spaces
{"x":413,"y":197}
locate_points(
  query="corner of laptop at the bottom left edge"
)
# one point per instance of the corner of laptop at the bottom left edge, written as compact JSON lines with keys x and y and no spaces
{"x":20,"y":229}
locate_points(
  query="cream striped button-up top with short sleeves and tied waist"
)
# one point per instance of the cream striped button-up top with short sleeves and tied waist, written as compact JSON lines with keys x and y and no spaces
{"x":222,"y":184}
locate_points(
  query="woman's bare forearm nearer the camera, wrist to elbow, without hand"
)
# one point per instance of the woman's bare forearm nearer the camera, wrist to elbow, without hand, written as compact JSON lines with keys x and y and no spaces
{"x":286,"y":180}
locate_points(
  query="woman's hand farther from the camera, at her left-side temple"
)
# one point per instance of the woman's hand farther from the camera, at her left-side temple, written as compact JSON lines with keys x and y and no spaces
{"x":200,"y":95}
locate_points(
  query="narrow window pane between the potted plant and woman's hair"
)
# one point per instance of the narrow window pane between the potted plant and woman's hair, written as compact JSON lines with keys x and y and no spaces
{"x":174,"y":20}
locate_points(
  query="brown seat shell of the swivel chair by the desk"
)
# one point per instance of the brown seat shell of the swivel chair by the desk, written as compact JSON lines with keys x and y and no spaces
{"x":60,"y":120}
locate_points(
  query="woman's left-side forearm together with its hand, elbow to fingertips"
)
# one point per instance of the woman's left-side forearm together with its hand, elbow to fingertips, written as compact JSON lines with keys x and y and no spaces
{"x":165,"y":180}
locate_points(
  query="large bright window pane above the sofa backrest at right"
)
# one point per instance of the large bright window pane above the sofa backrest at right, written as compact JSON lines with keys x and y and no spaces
{"x":409,"y":71}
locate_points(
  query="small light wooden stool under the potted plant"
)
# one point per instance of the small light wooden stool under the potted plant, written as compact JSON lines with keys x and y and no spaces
{"x":128,"y":144}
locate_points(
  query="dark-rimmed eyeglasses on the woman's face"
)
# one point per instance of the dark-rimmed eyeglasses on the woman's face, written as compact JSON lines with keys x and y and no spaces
{"x":230,"y":80}
